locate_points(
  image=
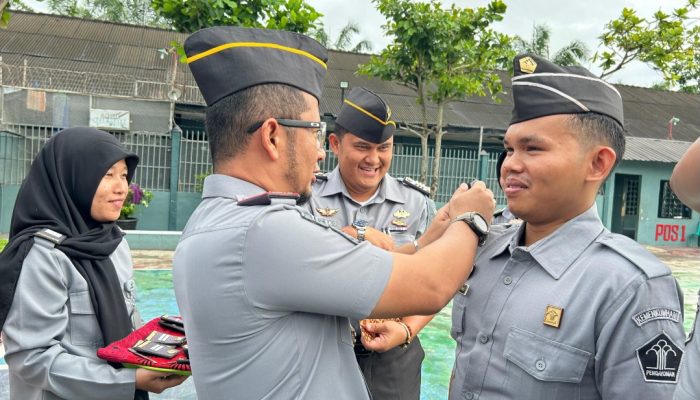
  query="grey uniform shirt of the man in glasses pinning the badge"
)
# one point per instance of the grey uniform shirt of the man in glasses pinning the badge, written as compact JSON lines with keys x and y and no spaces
{"x":265,"y":292}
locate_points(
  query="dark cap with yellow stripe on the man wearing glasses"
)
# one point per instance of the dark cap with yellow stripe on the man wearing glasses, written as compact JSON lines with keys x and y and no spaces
{"x":228,"y":59}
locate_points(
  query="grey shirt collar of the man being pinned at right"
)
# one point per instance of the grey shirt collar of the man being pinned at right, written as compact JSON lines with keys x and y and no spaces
{"x":575,"y":236}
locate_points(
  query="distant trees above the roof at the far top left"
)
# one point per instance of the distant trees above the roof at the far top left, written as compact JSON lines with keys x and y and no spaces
{"x":135,"y":12}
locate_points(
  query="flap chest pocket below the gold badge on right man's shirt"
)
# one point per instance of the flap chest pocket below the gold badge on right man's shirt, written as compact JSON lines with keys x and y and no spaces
{"x":533,"y":356}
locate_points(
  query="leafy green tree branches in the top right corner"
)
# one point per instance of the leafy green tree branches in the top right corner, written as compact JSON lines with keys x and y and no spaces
{"x":666,"y":42}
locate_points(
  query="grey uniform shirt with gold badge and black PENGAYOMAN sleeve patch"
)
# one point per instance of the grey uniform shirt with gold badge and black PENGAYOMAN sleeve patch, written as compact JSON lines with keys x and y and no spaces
{"x":581,"y":314}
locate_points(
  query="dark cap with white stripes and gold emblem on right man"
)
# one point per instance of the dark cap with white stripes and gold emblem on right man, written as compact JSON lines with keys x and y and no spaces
{"x":542,"y":88}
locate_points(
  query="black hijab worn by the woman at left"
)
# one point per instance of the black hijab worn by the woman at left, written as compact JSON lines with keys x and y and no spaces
{"x":57,"y":194}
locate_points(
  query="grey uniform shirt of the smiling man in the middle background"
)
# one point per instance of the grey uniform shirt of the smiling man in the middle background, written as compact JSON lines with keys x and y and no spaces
{"x":403,"y":212}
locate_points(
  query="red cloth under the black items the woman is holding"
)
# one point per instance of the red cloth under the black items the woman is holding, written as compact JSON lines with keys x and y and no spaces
{"x":118,"y":352}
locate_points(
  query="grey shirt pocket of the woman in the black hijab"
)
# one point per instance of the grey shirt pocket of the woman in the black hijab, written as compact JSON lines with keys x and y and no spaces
{"x":84,"y":330}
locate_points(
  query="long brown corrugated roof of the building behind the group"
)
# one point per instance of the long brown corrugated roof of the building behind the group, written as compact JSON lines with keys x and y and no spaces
{"x":72,"y":44}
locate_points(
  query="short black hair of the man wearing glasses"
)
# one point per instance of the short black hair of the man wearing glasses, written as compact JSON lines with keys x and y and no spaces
{"x":228,"y":120}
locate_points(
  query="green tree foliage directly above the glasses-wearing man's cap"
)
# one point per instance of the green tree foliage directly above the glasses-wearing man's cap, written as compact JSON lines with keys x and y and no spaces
{"x":191,"y":15}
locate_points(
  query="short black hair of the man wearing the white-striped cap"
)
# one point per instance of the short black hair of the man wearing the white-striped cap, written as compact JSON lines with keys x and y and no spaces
{"x":596,"y":129}
